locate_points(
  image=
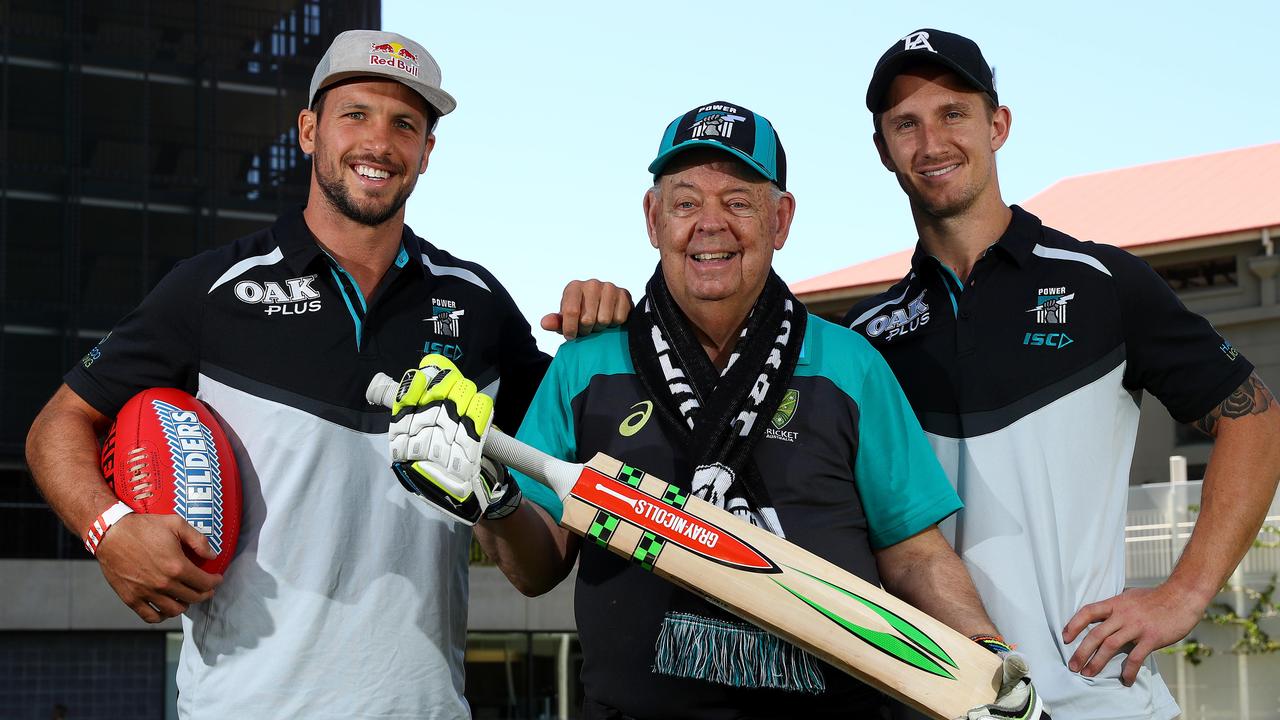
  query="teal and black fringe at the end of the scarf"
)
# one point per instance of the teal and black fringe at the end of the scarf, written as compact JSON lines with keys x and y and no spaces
{"x":734,"y":654}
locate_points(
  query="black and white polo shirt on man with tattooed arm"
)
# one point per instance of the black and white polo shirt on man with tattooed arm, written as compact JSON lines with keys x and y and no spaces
{"x":1027,"y":380}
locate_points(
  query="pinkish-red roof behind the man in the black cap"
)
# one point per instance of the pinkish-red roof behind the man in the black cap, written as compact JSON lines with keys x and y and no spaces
{"x":1201,"y":197}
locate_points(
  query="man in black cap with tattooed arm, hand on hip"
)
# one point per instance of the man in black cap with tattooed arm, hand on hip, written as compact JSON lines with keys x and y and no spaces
{"x":1023,"y":353}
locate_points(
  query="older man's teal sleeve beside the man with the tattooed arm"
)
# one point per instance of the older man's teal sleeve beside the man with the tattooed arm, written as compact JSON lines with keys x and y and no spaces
{"x":903,"y":489}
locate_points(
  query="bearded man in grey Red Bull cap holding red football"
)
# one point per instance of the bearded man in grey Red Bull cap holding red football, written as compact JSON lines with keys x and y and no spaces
{"x":345,"y":599}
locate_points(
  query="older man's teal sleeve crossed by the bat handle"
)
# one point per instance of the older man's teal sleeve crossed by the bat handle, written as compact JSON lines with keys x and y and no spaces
{"x":550,"y":427}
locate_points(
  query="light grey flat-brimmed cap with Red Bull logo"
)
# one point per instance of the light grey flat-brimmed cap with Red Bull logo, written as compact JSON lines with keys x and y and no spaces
{"x":359,"y":53}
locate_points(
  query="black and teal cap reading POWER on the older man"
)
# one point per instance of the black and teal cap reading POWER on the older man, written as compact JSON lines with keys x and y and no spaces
{"x":733,"y":129}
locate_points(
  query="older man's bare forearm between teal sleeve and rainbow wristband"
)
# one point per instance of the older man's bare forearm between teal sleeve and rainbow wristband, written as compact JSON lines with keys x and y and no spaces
{"x":927,"y":573}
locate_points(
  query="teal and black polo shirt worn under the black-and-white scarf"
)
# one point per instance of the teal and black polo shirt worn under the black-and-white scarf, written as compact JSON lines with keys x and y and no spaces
{"x":845,"y":463}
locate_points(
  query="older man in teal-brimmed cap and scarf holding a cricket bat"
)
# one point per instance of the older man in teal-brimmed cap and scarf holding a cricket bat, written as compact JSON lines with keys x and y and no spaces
{"x":723,"y":382}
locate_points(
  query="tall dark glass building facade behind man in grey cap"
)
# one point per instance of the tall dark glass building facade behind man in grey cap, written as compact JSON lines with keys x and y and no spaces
{"x":132,"y":135}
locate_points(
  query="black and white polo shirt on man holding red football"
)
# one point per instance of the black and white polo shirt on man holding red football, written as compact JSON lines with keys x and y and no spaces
{"x":348,"y":598}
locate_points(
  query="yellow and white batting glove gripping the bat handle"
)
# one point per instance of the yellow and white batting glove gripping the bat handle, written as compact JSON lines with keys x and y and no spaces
{"x":438,"y":431}
